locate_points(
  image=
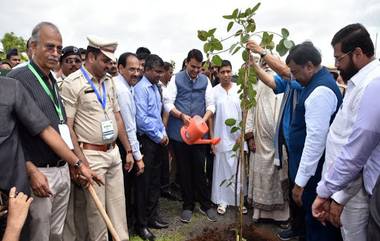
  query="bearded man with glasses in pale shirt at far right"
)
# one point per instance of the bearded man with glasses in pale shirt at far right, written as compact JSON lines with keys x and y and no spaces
{"x":354,"y":58}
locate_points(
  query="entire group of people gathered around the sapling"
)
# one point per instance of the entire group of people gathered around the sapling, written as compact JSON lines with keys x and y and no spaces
{"x":111,"y":121}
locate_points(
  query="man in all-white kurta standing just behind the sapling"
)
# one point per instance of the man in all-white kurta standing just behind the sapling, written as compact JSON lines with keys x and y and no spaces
{"x":227,"y":105}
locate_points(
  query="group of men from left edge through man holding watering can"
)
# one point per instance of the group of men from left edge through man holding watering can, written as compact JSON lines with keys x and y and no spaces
{"x":87,"y":107}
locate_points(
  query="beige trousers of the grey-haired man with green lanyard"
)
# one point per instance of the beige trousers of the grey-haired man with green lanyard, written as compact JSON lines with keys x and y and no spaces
{"x":48,"y":214}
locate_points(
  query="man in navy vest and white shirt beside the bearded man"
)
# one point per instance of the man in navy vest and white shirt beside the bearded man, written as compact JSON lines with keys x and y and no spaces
{"x":315,"y":110}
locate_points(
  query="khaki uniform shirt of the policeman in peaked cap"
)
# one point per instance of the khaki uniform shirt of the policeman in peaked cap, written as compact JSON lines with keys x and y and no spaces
{"x":82,"y":104}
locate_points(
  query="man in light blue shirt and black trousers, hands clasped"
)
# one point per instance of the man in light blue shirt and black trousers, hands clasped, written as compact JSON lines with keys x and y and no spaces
{"x":153,"y":138}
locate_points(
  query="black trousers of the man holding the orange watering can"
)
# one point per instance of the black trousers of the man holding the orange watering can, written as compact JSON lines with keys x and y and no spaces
{"x":191,"y":166}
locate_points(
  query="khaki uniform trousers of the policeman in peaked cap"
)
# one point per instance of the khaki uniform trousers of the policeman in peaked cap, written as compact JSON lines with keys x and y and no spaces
{"x":109,"y":167}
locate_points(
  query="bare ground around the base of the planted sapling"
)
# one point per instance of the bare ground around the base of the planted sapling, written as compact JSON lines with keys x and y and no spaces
{"x":200,"y":229}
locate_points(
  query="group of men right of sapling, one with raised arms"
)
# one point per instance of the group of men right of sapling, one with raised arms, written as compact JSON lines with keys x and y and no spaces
{"x":330,"y":143}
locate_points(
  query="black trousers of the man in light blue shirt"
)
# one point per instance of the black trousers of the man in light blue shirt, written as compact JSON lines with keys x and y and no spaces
{"x":147,"y":185}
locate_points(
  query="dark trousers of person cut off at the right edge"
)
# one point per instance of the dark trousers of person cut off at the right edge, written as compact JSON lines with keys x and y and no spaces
{"x":374,"y":214}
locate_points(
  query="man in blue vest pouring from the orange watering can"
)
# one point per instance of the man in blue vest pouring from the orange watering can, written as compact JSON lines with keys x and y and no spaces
{"x":189,"y":93}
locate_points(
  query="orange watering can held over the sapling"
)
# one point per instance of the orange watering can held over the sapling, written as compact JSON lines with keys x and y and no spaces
{"x":193,"y":133}
